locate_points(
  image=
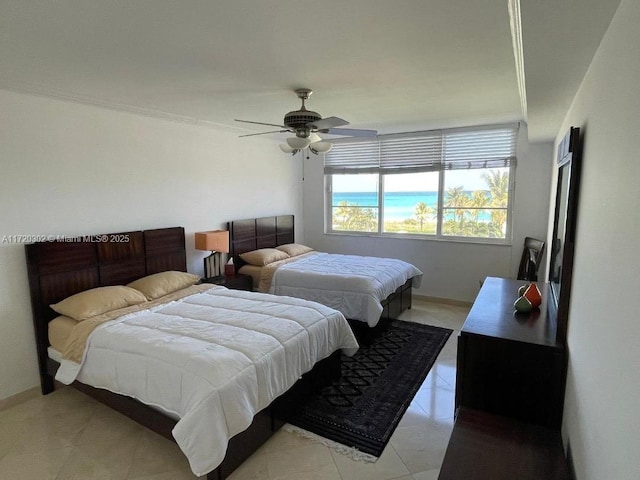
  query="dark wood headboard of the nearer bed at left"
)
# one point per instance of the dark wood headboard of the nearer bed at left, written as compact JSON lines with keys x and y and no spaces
{"x":62,"y":268}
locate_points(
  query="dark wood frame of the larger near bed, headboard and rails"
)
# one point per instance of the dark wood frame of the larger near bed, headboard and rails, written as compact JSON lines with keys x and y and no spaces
{"x":62,"y":268}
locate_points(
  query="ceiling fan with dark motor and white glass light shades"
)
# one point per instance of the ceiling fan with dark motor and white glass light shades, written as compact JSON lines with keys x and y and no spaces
{"x":306,"y":125}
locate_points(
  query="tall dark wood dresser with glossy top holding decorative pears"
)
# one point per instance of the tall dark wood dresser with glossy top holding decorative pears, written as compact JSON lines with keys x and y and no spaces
{"x":510,"y":363}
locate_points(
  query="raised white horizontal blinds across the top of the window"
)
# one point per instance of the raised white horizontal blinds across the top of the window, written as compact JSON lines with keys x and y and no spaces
{"x":469,"y":148}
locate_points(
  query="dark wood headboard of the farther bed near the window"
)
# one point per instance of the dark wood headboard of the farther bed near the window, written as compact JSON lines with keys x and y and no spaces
{"x":253,"y":233}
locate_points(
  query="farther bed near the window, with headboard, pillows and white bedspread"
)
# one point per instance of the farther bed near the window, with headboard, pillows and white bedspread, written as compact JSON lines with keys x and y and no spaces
{"x":364,"y":289}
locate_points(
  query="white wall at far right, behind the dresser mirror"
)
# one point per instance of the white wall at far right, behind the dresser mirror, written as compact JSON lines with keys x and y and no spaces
{"x":601,"y":415}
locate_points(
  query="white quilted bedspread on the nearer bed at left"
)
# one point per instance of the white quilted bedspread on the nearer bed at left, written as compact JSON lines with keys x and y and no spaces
{"x":213,"y":360}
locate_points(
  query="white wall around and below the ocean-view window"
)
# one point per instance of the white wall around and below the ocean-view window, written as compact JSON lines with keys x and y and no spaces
{"x":452,"y":270}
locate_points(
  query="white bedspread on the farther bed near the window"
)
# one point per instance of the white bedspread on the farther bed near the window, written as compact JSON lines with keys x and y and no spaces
{"x":354,"y":285}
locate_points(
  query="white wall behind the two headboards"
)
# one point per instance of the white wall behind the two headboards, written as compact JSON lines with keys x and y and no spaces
{"x":72,"y":169}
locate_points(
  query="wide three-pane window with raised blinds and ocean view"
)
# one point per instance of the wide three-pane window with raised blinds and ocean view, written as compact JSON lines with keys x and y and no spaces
{"x":444,"y":184}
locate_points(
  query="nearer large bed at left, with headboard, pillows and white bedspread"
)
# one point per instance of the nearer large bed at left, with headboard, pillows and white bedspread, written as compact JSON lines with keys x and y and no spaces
{"x":238,"y":324}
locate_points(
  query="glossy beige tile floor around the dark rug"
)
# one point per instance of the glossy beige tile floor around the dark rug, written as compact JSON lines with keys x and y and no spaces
{"x":67,"y":435}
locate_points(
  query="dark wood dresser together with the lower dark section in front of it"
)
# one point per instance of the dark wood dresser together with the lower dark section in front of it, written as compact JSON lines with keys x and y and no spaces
{"x":509,"y":392}
